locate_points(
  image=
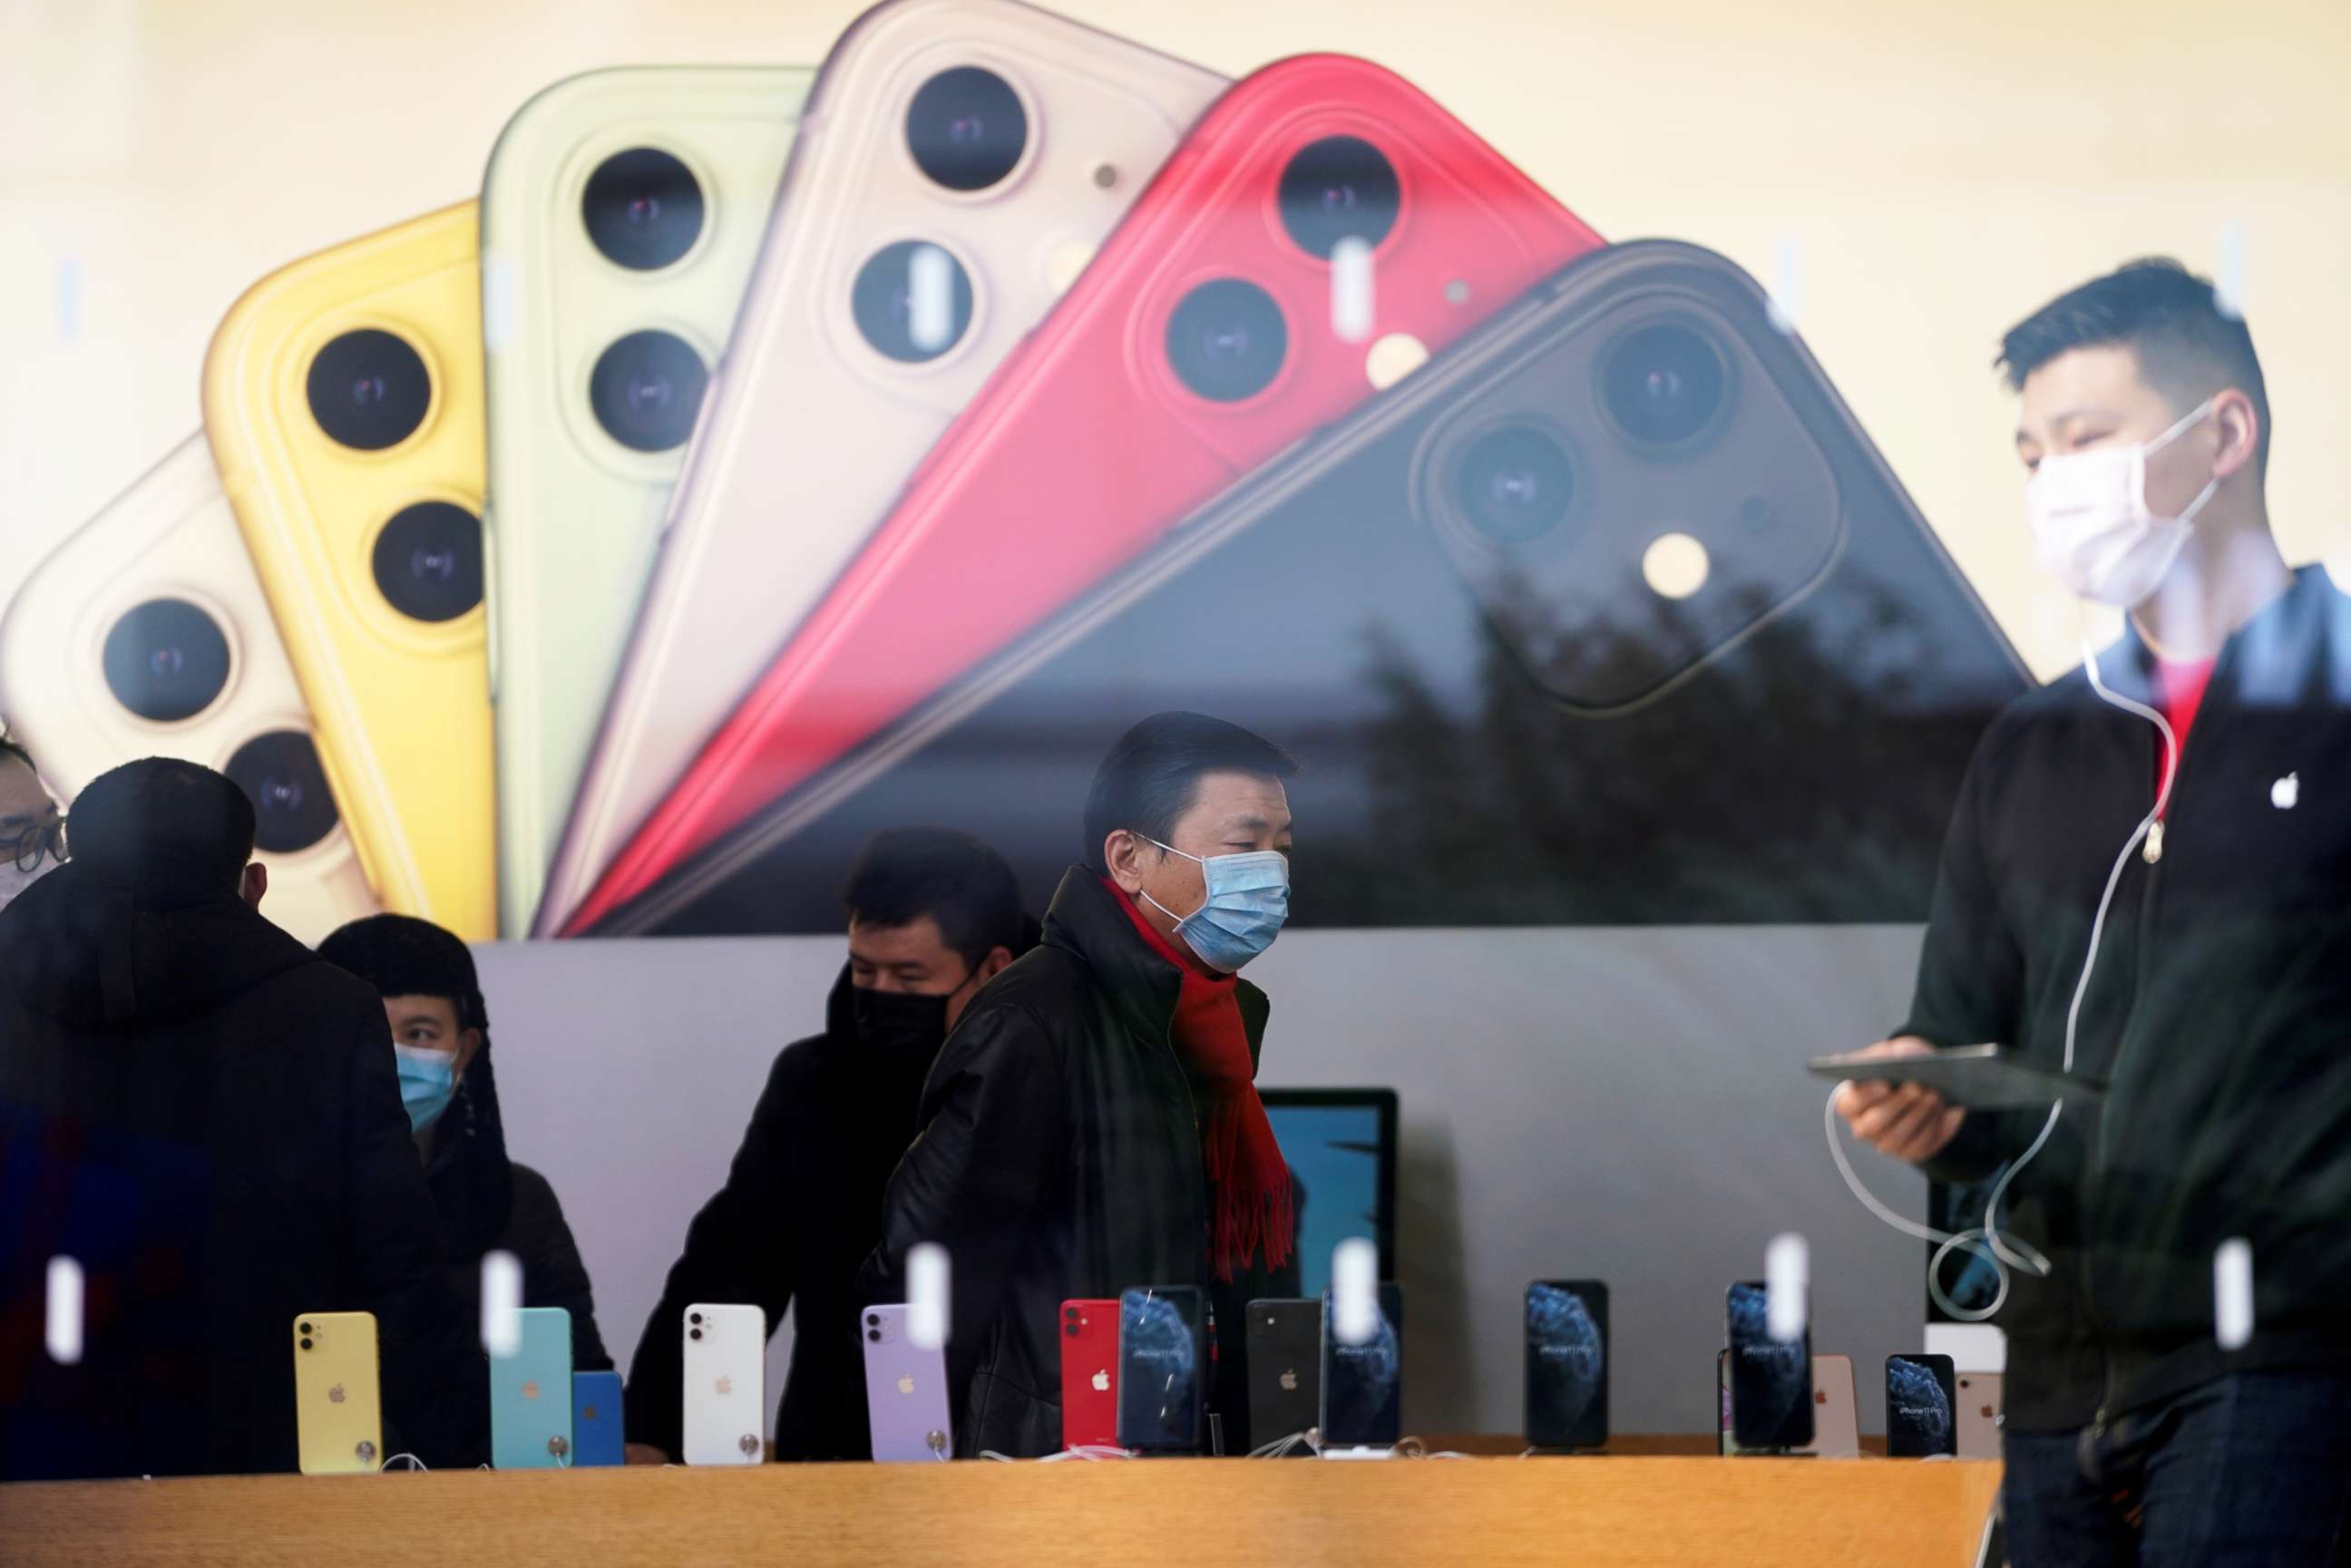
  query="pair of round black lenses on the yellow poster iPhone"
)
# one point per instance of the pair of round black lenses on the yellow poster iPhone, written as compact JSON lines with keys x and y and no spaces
{"x":370,"y":391}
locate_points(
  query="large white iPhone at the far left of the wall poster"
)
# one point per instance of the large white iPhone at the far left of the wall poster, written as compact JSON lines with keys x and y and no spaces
{"x":147,"y":636}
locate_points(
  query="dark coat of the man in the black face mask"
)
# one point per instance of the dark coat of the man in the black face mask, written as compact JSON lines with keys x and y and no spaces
{"x":789,"y":1231}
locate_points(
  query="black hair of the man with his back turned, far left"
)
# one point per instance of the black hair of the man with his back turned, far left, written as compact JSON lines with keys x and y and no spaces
{"x":168,"y":824}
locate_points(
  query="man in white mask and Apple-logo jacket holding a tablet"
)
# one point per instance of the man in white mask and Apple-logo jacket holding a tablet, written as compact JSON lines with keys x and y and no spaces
{"x":2150,"y":883}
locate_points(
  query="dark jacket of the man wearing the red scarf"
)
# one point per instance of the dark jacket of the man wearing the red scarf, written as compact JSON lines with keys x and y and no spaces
{"x":1059,"y":1160}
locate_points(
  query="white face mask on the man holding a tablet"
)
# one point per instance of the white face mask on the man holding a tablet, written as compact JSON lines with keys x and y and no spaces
{"x":2094,"y":528}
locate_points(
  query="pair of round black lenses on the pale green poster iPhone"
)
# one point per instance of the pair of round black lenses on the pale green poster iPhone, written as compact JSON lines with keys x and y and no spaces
{"x":645,"y":213}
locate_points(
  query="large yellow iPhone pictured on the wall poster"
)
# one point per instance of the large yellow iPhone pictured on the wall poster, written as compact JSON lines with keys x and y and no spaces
{"x":344,"y":406}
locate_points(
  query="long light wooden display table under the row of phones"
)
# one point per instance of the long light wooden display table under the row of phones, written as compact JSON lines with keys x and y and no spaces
{"x":1649,"y":1513}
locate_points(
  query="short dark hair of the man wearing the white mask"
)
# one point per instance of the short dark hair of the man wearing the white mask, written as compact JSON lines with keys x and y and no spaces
{"x":2173,"y":323}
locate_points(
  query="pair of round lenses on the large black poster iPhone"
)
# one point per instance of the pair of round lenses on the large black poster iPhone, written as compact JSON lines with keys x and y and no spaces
{"x":1663,"y":387}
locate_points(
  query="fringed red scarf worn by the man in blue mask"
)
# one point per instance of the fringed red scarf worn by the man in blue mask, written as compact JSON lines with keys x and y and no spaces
{"x":1250,"y":1186}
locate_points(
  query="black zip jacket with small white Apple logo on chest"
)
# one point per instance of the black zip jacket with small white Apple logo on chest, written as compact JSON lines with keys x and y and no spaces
{"x":2221,"y":1012}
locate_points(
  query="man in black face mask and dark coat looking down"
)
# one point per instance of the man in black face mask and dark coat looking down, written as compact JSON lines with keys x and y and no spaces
{"x":935,"y":916}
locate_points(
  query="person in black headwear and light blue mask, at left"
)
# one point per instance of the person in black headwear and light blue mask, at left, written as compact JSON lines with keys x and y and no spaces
{"x":485,"y":1200}
